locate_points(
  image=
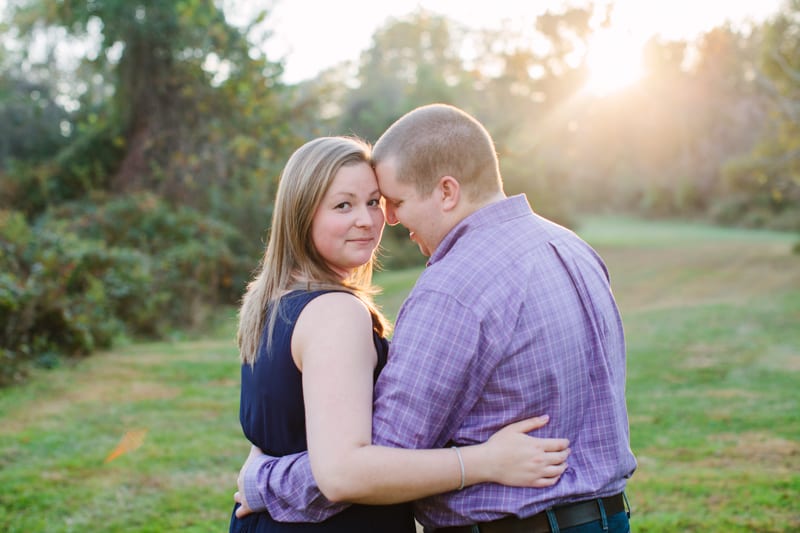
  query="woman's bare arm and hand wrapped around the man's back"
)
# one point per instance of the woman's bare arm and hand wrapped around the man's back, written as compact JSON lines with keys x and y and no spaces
{"x":332,"y":345}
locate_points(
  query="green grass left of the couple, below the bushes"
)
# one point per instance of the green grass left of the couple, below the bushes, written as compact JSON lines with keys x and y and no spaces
{"x":58,"y":430}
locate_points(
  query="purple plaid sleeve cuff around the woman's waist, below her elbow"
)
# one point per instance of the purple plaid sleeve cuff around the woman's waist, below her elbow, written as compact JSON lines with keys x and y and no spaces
{"x":285,"y":487}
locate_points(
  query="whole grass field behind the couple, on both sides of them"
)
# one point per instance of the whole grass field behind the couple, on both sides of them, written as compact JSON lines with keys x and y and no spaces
{"x":146,"y":438}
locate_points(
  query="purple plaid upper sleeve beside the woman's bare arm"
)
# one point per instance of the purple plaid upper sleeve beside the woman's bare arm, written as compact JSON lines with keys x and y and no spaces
{"x":432,"y":379}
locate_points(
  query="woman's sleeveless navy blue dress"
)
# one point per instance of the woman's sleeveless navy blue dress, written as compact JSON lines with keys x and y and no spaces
{"x":272,"y":414}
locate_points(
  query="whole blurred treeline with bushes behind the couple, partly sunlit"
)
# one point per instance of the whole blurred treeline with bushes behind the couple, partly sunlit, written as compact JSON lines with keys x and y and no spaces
{"x":141,"y":143}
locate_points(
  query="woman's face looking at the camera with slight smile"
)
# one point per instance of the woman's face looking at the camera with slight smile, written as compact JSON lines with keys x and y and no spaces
{"x":348,"y":223}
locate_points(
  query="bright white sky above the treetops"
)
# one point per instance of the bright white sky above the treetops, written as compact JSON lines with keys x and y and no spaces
{"x":312,"y":35}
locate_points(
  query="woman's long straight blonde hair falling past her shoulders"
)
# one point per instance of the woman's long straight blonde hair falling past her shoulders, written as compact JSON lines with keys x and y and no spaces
{"x":291,"y":260}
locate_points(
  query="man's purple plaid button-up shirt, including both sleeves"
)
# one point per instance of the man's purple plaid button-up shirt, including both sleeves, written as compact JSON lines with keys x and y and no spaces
{"x":513,"y":317}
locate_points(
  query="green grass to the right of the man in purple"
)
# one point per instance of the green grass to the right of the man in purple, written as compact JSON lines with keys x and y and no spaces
{"x":712,"y":319}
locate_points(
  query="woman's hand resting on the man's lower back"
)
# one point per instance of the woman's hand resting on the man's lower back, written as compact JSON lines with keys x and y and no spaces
{"x":516,"y":459}
